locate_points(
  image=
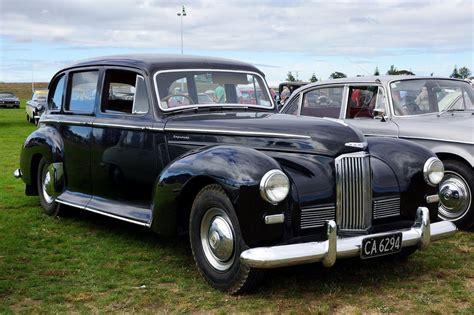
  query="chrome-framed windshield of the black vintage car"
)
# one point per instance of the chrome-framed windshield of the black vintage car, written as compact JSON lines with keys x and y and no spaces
{"x":181,"y":89}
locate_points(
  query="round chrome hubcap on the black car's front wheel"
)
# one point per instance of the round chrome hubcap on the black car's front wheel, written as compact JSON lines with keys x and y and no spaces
{"x":217,"y":239}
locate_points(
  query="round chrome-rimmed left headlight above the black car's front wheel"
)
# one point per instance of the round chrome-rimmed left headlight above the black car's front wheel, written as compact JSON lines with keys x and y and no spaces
{"x":274,"y":186}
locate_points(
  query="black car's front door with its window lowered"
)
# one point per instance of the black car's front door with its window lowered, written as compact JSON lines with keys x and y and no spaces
{"x":123,"y":160}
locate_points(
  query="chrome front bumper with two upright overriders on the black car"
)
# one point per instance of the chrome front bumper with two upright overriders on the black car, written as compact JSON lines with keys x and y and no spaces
{"x":421,"y":234}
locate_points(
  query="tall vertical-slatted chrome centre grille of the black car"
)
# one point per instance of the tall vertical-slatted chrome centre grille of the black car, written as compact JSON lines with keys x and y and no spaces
{"x":354,"y":191}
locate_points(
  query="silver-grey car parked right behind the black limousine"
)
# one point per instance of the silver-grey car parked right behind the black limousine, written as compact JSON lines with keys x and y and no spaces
{"x":435,"y":112}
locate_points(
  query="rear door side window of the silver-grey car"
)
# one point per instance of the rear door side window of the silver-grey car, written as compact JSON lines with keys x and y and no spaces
{"x":323,"y":102}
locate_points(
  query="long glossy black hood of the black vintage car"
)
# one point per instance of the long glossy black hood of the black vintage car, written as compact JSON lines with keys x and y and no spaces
{"x":272,"y":131}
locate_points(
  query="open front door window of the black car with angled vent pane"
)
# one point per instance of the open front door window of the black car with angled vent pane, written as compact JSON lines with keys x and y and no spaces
{"x":124,"y":92}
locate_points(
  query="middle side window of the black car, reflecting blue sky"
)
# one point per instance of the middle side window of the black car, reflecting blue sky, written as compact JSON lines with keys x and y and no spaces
{"x":83,"y":91}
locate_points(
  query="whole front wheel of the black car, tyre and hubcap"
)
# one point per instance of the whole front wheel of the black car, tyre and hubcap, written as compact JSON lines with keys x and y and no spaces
{"x":216,"y":242}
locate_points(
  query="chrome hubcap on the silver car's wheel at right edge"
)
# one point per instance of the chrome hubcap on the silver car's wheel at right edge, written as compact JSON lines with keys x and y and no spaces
{"x":455,"y":197}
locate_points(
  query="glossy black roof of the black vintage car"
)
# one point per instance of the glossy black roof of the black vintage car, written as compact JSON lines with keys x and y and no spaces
{"x":157,"y":62}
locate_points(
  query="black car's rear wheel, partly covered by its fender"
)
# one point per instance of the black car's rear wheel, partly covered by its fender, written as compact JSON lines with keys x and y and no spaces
{"x":44,"y":184}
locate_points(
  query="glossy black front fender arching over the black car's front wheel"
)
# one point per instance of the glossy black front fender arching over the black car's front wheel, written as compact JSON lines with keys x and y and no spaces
{"x":237,"y":169}
